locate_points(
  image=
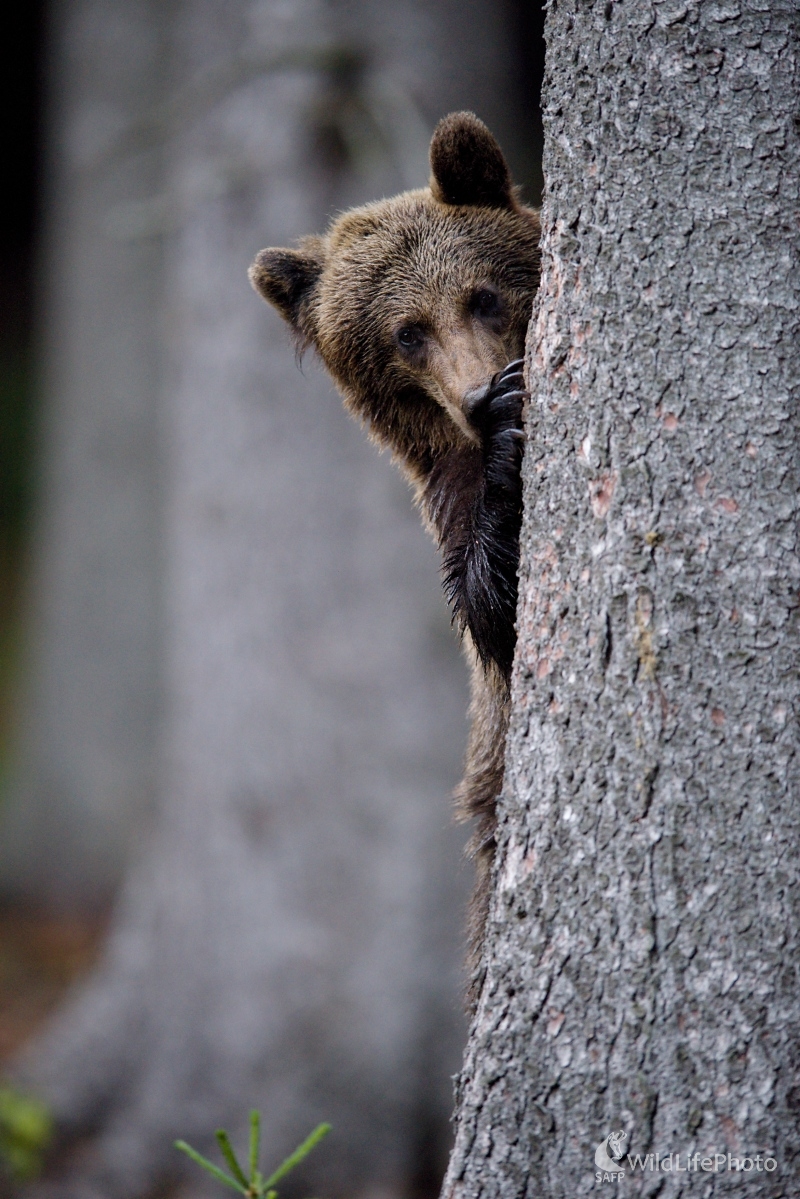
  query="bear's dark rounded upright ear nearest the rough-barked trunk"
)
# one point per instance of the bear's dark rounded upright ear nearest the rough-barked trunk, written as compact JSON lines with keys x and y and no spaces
{"x":468,"y":166}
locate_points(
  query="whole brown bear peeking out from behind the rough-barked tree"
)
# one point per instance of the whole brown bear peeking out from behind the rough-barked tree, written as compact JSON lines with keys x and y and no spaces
{"x":419,"y":306}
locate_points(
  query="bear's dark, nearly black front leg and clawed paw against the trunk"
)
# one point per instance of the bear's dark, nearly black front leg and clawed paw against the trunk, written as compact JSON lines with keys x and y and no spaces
{"x":482,"y":567}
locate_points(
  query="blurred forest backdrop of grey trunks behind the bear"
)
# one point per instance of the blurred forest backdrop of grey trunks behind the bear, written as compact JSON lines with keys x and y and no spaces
{"x":232,"y":709}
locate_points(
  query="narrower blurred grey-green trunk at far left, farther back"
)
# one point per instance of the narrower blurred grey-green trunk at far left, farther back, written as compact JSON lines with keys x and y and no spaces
{"x":86,"y":770}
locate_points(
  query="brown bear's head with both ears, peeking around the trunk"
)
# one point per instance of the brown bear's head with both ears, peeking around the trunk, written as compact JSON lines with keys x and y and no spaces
{"x":416,"y":303}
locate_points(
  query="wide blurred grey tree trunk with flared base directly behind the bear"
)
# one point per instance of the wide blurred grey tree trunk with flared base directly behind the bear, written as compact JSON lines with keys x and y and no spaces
{"x":291,"y":936}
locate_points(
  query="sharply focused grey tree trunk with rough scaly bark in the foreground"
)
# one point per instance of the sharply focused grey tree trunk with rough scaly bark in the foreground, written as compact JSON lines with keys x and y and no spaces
{"x":643,"y":939}
